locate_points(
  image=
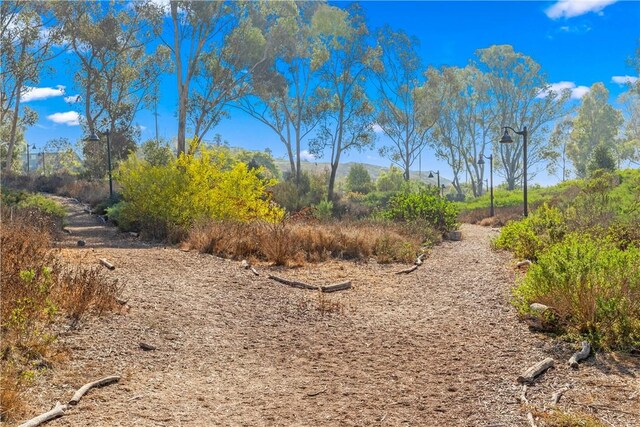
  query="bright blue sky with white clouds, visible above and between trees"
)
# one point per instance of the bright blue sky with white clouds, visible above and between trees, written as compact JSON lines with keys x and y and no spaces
{"x":577,"y":42}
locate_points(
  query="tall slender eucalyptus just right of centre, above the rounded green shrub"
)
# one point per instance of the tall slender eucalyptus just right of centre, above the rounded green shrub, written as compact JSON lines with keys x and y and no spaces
{"x":401,"y":83}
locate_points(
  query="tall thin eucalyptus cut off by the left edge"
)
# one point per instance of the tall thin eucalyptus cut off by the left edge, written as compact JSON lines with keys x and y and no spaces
{"x":27,"y":43}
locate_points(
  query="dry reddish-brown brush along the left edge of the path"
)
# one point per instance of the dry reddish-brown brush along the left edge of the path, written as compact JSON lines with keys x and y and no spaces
{"x":37,"y":289}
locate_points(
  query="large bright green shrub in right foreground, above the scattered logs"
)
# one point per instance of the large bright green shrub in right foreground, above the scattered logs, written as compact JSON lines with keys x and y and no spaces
{"x":593,"y":287}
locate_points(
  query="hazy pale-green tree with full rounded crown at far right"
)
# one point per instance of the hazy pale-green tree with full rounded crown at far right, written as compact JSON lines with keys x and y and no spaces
{"x":597,"y":123}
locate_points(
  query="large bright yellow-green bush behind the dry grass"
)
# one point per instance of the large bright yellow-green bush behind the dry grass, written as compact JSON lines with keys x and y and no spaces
{"x":190,"y":189}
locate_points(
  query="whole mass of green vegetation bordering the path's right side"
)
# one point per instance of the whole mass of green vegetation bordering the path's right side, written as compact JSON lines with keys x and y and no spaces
{"x":585,"y":250}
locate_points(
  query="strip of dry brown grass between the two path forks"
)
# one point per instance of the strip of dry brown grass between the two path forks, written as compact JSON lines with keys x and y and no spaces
{"x":292,"y":243}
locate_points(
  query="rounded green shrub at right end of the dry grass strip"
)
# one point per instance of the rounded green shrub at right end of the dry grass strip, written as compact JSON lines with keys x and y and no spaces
{"x":423,"y":205}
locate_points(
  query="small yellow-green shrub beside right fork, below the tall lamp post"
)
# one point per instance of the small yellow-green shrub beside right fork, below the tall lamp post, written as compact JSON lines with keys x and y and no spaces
{"x":528,"y":238}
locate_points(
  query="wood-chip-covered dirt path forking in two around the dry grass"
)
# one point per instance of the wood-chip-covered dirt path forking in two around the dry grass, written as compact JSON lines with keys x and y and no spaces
{"x":438,"y":347}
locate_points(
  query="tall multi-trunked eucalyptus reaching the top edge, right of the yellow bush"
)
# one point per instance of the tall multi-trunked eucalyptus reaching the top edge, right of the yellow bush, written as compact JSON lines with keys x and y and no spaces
{"x":283,"y":93}
